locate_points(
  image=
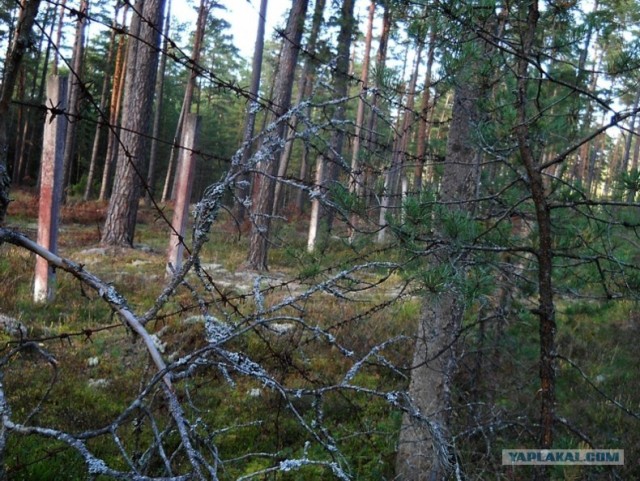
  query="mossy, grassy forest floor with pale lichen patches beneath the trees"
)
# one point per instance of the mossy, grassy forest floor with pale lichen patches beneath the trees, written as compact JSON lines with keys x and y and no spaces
{"x":101,"y":368}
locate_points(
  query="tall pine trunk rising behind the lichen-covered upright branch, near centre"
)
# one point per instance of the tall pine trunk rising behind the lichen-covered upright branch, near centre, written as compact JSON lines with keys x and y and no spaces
{"x":264,"y":187}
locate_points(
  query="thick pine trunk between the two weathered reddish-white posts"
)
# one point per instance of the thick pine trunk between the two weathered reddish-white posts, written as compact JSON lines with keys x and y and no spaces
{"x":142,"y":53}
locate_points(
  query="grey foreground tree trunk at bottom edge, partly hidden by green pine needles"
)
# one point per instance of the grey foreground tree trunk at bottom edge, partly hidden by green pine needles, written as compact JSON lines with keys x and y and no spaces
{"x":424,"y":446}
